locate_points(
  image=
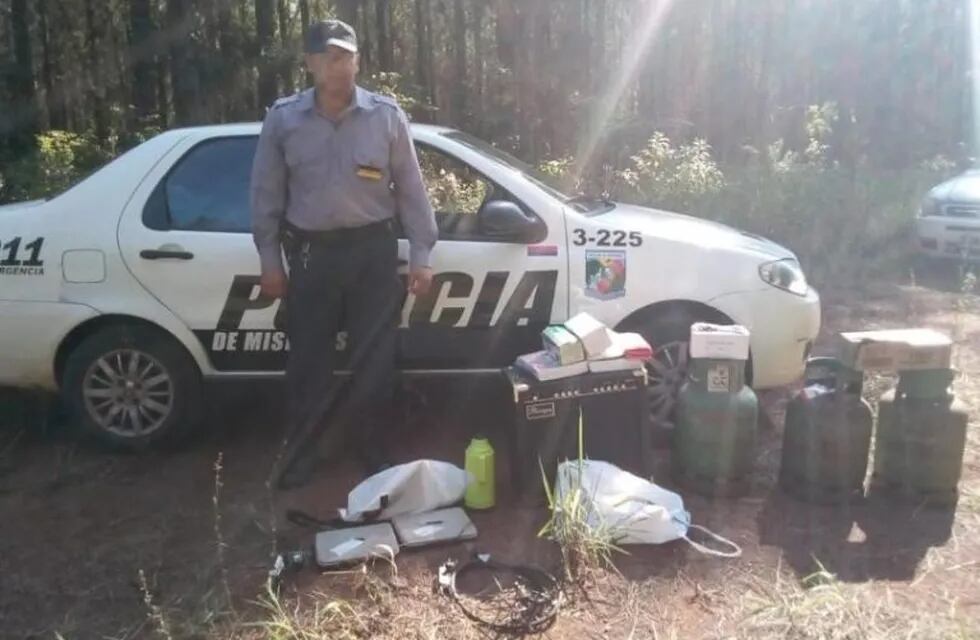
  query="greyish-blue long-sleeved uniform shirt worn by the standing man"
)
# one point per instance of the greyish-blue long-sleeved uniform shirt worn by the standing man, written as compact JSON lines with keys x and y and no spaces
{"x":321,"y":174}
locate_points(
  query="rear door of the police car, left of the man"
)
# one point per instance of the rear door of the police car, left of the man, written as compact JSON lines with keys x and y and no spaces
{"x":186,"y":237}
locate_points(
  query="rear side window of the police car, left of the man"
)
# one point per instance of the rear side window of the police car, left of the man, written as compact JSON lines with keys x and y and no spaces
{"x":208,"y":189}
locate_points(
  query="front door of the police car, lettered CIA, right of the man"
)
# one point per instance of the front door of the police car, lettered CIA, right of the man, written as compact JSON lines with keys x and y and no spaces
{"x":490,"y":296}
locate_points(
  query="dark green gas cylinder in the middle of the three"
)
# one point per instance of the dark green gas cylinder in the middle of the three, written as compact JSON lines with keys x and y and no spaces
{"x":827,"y":435}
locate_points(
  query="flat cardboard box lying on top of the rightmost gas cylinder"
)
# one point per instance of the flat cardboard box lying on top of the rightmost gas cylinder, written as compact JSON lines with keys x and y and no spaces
{"x":896,"y":350}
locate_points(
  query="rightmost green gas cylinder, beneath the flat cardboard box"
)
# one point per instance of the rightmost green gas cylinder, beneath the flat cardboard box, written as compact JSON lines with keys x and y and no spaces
{"x":921,"y":438}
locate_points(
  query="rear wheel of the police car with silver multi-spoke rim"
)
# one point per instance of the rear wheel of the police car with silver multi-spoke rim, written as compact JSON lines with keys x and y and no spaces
{"x":132,"y":387}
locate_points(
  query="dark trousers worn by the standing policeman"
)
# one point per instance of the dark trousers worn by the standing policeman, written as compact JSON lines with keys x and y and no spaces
{"x":343,"y":280}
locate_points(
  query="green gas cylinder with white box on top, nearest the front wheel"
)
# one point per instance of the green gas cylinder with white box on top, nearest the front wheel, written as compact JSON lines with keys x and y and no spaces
{"x":714,"y":443}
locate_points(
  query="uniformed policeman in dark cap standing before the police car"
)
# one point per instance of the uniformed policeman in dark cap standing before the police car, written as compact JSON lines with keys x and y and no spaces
{"x":335,"y":165}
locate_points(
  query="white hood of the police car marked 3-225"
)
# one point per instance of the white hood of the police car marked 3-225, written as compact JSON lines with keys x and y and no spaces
{"x":691,"y":230}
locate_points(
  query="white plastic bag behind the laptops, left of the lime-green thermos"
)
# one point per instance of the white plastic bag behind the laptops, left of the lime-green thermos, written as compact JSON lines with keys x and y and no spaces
{"x":414,"y":487}
